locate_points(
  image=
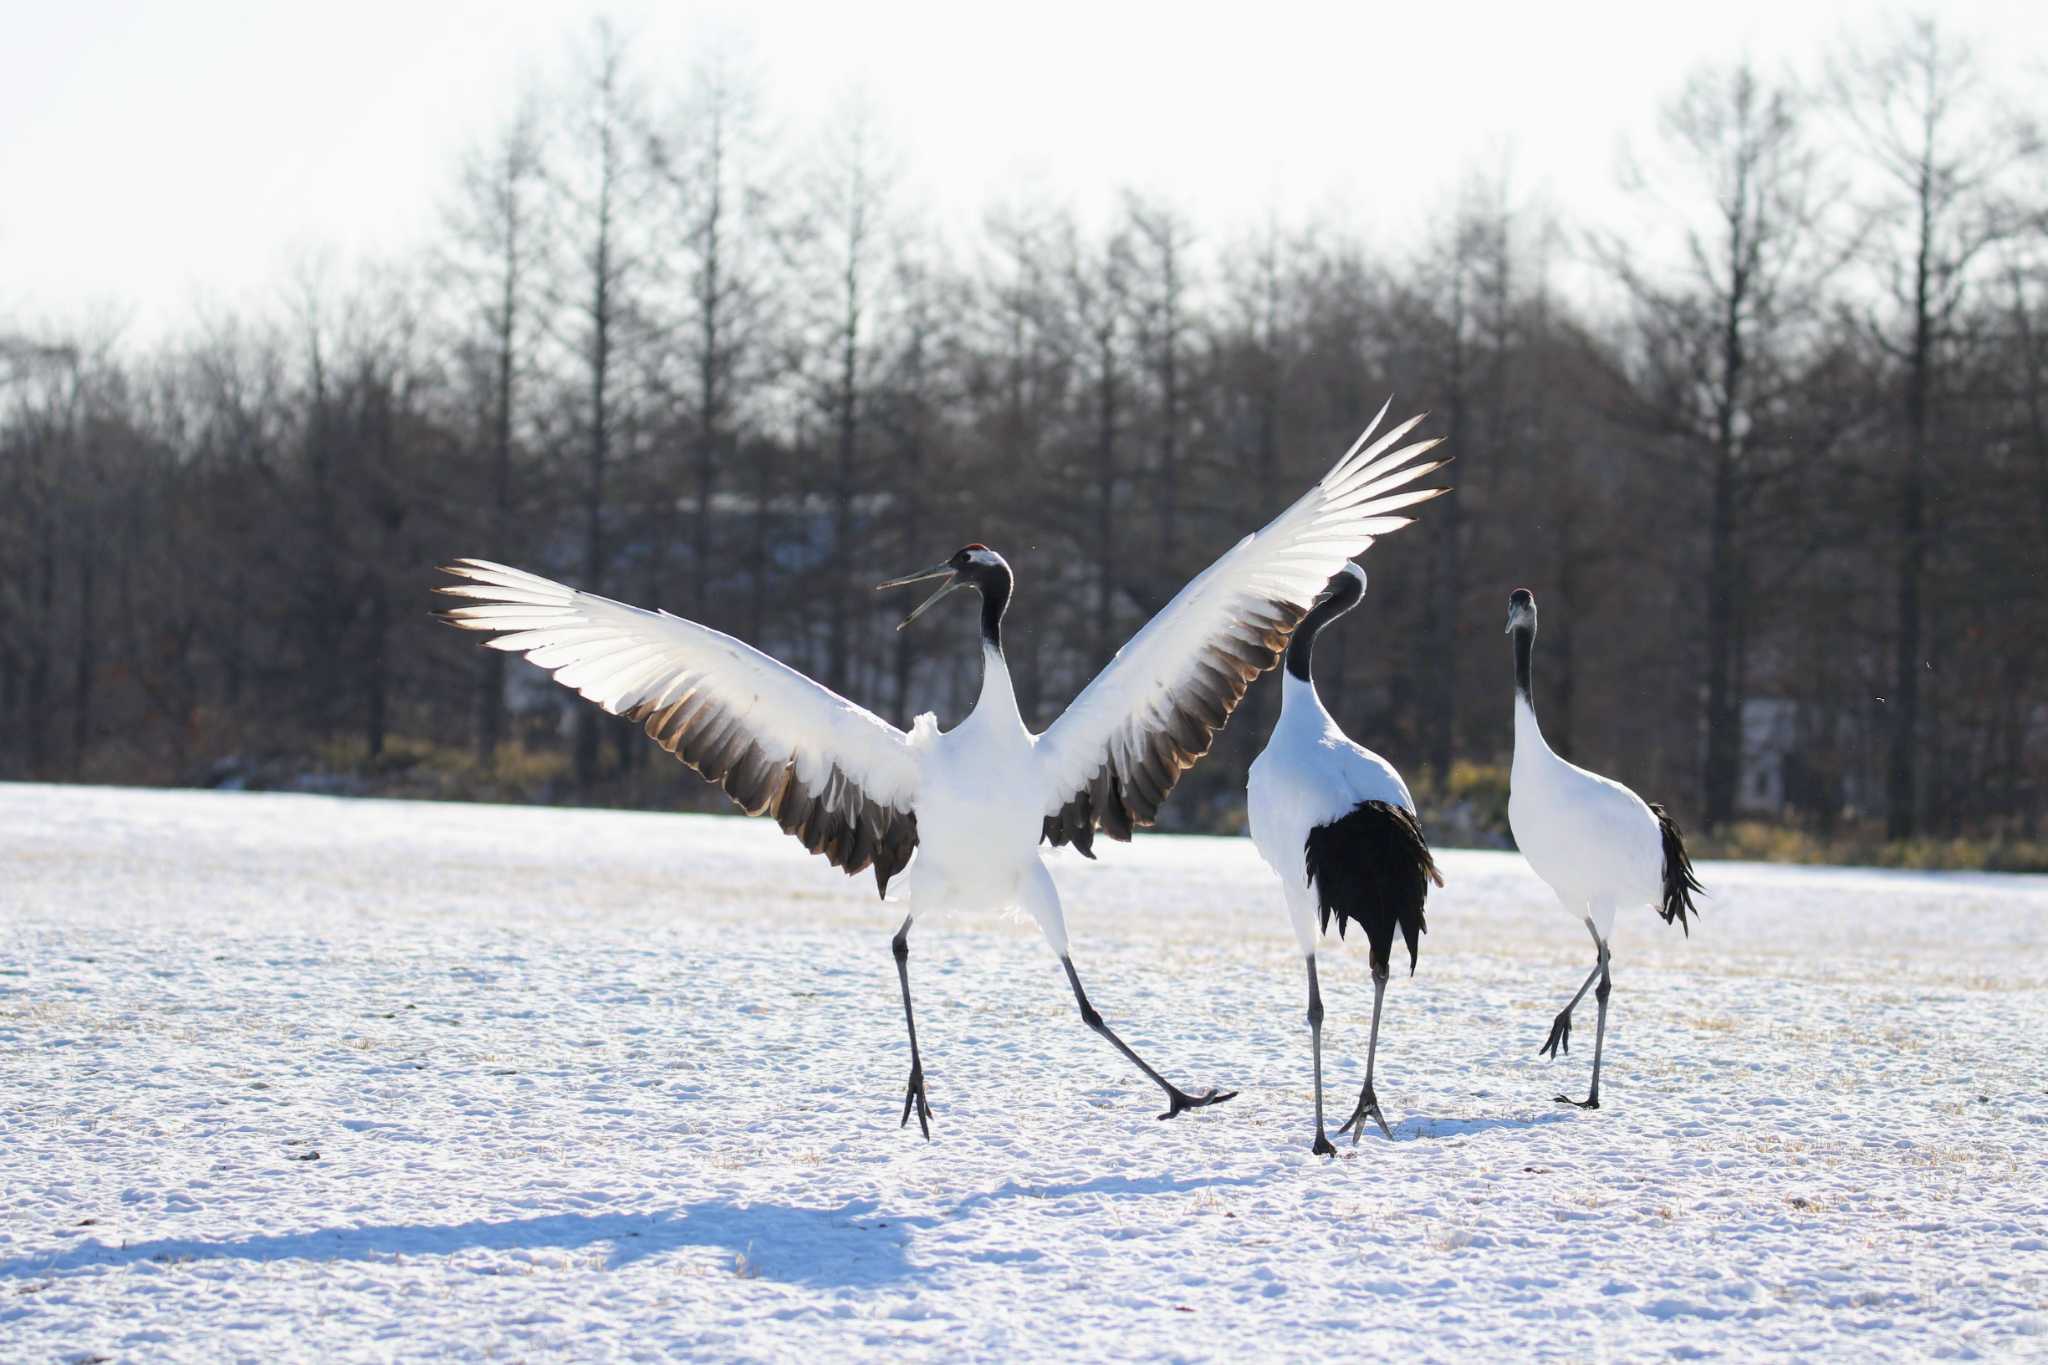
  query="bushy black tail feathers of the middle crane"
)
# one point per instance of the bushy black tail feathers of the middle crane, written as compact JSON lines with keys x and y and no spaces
{"x":1373,"y":869}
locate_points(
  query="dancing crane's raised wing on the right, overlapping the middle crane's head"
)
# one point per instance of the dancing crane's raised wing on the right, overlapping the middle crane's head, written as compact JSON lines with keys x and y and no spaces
{"x":1111,"y":760}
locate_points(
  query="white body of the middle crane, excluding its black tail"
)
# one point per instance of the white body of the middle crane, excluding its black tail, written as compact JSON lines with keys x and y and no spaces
{"x":1310,"y":775}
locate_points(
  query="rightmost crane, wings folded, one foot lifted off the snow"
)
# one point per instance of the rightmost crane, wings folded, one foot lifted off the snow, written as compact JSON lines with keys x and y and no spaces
{"x":1592,"y":840}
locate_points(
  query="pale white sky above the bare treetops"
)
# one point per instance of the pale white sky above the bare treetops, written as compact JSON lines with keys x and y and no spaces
{"x":163,"y":159}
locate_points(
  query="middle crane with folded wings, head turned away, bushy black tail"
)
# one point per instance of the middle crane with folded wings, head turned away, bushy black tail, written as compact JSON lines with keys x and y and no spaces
{"x":1338,"y":828}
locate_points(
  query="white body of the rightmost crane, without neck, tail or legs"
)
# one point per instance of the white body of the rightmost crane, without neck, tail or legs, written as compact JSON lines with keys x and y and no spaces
{"x":1588,"y":838}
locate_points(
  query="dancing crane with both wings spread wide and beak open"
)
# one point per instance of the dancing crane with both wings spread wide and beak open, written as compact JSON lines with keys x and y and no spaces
{"x":976,"y":801}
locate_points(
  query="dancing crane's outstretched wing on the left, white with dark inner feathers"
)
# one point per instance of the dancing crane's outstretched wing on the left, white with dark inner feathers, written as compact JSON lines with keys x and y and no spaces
{"x":830,"y":773}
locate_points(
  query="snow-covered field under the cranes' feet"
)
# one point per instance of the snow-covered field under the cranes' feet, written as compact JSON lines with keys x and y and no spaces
{"x":290,"y":1077}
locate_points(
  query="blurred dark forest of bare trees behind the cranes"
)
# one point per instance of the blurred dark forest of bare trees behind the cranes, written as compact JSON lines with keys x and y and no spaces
{"x":1779,"y":476}
